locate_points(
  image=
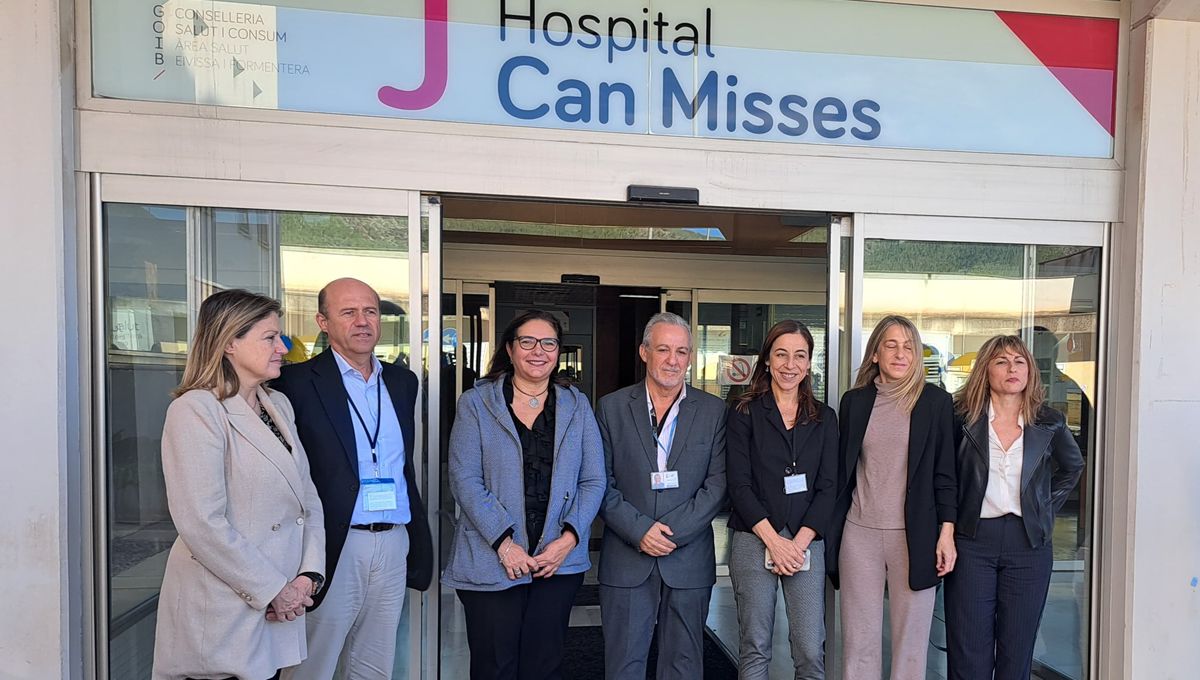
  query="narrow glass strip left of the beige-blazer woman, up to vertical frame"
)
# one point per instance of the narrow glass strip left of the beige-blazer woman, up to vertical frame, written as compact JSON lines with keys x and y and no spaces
{"x":148,"y":334}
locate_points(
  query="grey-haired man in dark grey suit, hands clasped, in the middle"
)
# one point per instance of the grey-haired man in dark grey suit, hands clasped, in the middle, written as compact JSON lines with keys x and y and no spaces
{"x":665,"y":456}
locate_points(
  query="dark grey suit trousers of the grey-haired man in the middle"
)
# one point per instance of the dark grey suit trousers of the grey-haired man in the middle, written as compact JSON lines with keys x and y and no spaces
{"x":631,"y":616}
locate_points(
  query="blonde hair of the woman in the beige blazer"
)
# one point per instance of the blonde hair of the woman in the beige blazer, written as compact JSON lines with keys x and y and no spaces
{"x":225,"y":317}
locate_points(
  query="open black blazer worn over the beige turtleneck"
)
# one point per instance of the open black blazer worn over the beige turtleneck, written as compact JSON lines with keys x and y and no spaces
{"x":932,"y":496}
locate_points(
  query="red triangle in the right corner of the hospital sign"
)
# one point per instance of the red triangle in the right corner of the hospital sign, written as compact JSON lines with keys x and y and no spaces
{"x":1082,"y":52}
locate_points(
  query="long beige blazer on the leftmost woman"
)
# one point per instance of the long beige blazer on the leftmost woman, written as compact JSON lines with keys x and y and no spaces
{"x":249,"y":521}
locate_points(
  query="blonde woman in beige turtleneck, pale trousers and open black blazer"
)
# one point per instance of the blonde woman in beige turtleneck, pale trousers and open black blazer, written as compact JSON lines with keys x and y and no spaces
{"x":893,"y":521}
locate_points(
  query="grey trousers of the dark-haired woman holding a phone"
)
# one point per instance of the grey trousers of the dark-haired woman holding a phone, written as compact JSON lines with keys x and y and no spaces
{"x":755,"y":591}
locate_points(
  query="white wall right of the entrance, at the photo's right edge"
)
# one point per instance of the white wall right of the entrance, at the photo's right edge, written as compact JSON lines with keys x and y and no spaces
{"x":1153,"y":516}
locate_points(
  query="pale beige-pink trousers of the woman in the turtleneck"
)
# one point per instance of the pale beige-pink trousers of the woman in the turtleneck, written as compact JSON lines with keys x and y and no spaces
{"x":869,"y":559}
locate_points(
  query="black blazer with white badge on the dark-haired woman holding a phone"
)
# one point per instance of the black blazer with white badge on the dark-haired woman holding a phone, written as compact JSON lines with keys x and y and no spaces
{"x":758,"y":450}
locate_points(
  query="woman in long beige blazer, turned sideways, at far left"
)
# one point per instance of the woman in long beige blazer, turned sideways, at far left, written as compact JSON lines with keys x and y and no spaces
{"x":251,"y":546}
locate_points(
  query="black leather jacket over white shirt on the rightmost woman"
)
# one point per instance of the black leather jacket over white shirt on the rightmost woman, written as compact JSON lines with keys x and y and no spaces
{"x":1045,"y":486}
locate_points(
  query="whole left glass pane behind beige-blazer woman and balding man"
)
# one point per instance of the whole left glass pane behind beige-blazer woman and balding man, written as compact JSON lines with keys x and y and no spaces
{"x":159,"y":260}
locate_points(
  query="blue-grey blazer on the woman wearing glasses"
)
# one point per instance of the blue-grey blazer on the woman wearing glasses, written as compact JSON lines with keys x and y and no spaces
{"x":488,"y":480}
